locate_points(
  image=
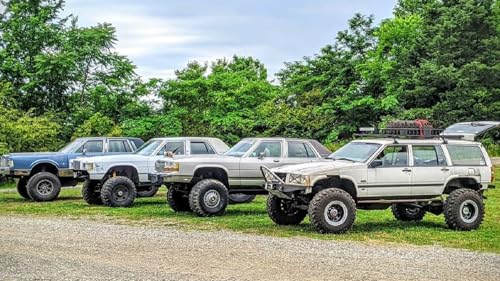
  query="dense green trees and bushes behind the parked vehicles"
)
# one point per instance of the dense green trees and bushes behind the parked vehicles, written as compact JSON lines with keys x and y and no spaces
{"x":434,"y":59}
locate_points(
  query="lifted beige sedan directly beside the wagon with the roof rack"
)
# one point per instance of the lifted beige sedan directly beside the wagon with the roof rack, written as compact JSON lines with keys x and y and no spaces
{"x":203,"y":184}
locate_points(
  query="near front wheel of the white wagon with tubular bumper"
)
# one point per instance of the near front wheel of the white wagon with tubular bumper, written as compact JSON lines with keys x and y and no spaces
{"x":332,"y":211}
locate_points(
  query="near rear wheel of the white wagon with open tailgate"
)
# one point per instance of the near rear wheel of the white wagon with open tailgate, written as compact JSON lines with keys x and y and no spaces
{"x":464,"y":209}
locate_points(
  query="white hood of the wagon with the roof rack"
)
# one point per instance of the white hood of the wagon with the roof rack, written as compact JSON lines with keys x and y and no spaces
{"x":312,"y":168}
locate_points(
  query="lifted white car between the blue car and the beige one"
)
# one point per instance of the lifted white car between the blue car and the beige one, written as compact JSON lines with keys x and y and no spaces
{"x":116,"y":180}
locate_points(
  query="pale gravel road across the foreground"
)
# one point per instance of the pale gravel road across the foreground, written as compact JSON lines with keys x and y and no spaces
{"x":60,"y":249}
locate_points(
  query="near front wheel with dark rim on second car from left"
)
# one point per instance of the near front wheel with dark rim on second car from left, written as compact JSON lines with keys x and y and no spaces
{"x":118,"y":192}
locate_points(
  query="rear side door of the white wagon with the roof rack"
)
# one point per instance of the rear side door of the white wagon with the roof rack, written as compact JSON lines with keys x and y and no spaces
{"x":430,"y":170}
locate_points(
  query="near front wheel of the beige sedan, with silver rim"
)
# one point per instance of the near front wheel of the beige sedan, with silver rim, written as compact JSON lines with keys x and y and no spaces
{"x":208,"y":197}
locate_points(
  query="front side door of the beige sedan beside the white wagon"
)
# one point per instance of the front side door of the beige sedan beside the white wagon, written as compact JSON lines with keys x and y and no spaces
{"x":266,"y":152}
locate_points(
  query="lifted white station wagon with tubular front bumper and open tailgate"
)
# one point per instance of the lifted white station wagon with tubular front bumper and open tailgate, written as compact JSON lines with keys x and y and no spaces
{"x":412,"y":176}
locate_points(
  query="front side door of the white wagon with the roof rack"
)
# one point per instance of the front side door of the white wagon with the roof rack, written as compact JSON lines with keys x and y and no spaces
{"x":389,"y":174}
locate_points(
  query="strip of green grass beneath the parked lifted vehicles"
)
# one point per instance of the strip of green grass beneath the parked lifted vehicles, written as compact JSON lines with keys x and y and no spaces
{"x":370,"y":226}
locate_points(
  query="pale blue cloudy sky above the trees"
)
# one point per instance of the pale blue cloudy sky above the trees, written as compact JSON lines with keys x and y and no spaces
{"x":160,"y":36}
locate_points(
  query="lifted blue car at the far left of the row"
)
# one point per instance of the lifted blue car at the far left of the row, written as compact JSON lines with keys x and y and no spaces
{"x":41,"y":174}
